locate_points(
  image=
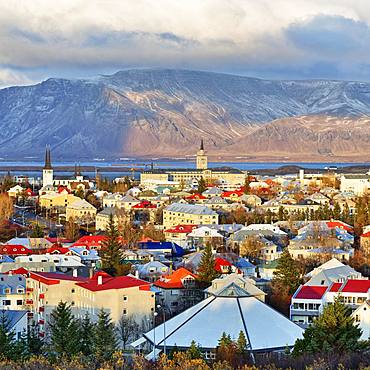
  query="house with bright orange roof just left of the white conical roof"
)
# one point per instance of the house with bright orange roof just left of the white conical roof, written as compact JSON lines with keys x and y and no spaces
{"x":178,"y":290}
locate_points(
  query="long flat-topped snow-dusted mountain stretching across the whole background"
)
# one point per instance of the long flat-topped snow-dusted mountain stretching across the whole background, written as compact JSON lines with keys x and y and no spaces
{"x":166,"y":112}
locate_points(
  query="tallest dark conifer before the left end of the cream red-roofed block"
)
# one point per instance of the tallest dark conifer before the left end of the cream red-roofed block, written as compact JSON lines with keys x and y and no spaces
{"x":64,"y":331}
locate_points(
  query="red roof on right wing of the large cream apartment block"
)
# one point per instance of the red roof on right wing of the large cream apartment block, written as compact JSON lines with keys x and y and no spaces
{"x":109,"y":282}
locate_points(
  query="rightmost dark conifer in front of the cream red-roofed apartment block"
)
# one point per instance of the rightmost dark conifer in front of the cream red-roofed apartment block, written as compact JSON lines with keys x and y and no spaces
{"x":105,"y":337}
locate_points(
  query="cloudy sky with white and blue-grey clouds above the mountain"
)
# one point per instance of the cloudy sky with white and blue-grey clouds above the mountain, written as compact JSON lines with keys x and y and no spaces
{"x":273,"y":39}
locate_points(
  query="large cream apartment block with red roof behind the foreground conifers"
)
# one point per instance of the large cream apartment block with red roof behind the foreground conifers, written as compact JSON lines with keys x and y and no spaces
{"x":119,"y":296}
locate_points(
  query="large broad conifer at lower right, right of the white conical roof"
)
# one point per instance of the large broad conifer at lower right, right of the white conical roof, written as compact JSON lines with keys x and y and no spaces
{"x":332,"y":332}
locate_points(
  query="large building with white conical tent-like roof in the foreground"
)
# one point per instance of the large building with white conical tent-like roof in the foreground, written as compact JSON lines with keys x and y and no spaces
{"x":266,"y":330}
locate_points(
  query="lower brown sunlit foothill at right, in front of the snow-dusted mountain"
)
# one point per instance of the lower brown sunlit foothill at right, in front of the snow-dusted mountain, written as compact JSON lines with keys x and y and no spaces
{"x":307,"y":138}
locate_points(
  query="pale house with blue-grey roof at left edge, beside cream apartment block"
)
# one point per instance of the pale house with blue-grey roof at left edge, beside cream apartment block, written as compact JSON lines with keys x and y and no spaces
{"x":12,"y":291}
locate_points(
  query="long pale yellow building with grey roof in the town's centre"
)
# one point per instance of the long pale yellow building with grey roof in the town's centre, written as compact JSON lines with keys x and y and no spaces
{"x":187,"y":214}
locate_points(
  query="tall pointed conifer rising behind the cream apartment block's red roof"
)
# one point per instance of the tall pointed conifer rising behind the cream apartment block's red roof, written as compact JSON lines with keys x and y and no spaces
{"x":111,"y":251}
